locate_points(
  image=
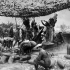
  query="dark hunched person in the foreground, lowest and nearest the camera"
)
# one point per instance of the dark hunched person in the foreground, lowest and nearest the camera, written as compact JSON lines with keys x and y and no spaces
{"x":43,"y":59}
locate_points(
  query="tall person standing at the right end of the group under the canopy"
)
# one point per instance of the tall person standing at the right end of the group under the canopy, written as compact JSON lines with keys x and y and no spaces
{"x":50,"y":27}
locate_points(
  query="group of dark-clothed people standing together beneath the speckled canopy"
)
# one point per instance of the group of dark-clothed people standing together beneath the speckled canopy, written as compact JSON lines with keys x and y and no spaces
{"x":34,"y":31}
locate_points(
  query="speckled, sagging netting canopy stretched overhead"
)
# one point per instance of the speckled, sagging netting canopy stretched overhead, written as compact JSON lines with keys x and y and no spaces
{"x":29,"y":8}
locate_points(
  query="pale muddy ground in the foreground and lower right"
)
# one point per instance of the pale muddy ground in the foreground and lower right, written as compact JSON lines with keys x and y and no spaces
{"x":59,"y":52}
